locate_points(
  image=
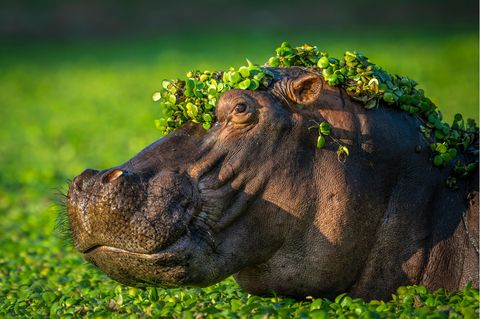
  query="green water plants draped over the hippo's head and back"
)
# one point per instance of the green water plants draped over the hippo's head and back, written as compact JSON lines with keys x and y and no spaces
{"x":194,"y":99}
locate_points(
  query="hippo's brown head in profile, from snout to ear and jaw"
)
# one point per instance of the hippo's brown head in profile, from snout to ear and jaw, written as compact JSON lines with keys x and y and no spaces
{"x":197,"y":206}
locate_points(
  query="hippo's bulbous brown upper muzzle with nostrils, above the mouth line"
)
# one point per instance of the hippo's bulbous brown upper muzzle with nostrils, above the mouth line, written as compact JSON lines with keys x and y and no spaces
{"x":135,"y":212}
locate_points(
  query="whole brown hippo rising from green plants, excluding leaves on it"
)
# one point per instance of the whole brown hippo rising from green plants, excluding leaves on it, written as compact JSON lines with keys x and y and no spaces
{"x":255,"y":198}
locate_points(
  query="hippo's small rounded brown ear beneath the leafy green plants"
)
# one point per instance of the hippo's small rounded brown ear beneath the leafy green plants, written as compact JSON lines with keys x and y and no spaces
{"x":305,"y":89}
